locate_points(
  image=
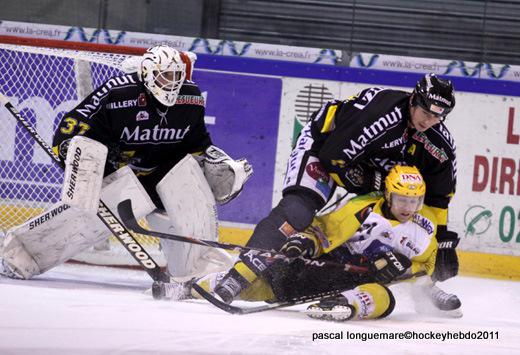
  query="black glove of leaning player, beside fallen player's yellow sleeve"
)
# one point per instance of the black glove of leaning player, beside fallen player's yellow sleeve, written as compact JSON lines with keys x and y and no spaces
{"x":447,"y":262}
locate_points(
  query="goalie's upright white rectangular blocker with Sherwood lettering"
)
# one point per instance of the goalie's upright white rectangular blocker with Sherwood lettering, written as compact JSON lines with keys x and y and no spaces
{"x":84,"y":167}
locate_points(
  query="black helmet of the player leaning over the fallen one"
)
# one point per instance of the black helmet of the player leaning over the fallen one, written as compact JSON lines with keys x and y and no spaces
{"x":434,"y":95}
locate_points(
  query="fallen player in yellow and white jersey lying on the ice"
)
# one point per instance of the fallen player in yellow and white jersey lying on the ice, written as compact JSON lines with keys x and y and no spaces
{"x":393,"y":235}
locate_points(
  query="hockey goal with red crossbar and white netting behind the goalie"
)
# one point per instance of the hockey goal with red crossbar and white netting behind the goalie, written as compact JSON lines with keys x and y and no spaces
{"x":44,"y":83}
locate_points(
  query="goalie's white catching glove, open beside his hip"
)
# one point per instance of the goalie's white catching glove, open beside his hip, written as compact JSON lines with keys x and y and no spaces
{"x":225,"y":176}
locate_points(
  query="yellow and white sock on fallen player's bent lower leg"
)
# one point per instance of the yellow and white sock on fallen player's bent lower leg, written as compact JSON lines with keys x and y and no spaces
{"x":371,"y":301}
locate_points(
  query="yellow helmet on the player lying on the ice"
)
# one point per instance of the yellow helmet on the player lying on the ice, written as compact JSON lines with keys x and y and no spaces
{"x":405,"y":184}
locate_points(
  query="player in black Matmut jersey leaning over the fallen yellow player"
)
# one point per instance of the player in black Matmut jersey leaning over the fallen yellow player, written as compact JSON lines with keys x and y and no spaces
{"x":353,"y":143}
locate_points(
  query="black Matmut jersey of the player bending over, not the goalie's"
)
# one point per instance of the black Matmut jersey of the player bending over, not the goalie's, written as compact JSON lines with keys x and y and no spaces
{"x":371,"y":130}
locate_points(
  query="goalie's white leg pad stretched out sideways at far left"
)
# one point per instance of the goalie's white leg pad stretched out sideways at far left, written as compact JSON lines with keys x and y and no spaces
{"x":51,"y":239}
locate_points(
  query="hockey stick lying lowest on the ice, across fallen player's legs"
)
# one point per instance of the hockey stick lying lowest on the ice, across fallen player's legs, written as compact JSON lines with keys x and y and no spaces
{"x":283,"y":304}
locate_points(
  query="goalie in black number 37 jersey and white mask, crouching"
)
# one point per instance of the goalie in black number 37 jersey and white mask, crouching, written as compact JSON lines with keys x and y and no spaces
{"x":125,"y":140}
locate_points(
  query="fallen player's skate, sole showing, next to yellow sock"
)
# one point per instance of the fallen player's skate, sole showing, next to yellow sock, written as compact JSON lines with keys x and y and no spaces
{"x":332,"y":309}
